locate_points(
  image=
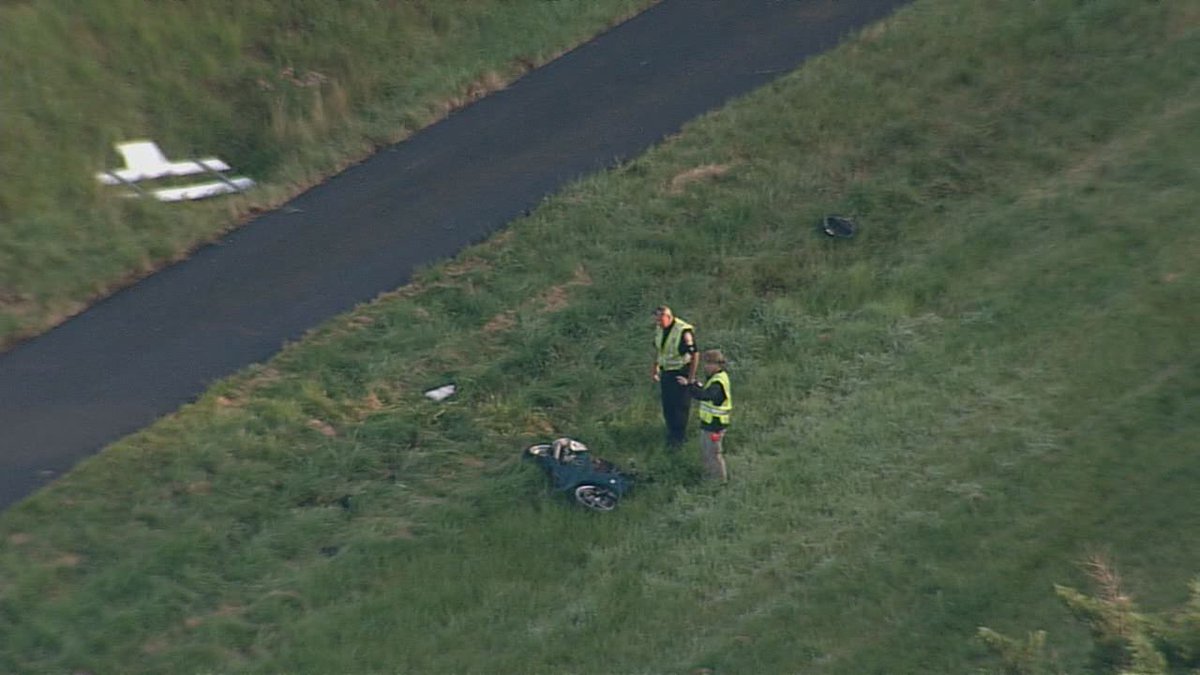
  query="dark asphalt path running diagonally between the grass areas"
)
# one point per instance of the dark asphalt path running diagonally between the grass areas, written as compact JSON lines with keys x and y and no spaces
{"x":157,"y":345}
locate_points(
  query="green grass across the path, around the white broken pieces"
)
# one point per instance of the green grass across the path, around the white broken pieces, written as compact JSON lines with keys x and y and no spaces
{"x":287,"y":93}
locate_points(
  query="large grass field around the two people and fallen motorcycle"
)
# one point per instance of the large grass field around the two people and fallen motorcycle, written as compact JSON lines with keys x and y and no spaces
{"x":939,"y":420}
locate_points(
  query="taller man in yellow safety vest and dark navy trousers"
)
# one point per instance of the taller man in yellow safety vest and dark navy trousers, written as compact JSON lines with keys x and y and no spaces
{"x":675,"y":347}
